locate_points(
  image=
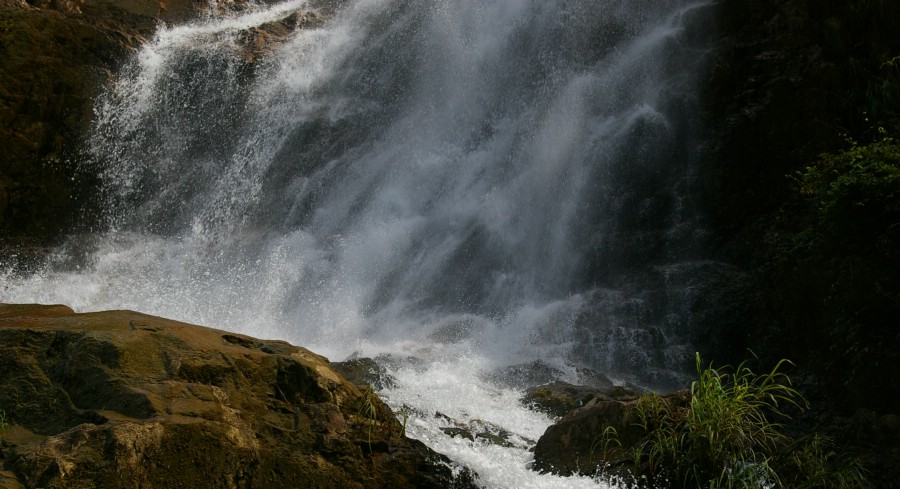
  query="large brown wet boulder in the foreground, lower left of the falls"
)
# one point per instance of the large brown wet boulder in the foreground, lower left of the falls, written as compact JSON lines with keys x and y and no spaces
{"x":121,"y":399}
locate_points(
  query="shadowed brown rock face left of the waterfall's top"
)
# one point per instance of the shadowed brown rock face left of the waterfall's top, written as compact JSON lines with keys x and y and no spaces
{"x":53,"y":62}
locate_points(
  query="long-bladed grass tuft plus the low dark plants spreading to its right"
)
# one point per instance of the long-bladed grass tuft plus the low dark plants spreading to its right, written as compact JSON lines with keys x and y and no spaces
{"x":727,"y":438}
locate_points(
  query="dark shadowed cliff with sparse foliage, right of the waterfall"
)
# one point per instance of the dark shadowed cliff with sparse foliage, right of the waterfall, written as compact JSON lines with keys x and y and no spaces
{"x":802,"y":187}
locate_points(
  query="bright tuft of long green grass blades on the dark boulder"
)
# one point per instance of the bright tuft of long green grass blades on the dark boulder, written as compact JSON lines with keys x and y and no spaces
{"x":724,"y":439}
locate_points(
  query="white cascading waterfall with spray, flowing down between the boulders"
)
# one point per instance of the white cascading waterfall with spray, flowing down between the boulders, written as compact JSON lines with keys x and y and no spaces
{"x":452,"y":187}
